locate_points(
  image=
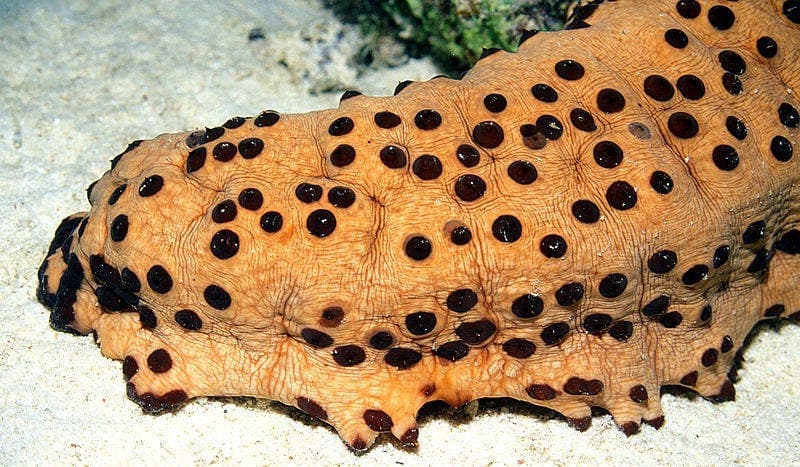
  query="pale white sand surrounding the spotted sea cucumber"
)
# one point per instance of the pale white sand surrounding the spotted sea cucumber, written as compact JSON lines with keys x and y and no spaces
{"x":78,"y":81}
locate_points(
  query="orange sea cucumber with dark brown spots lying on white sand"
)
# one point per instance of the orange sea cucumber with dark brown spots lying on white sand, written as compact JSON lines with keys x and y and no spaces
{"x":296,"y":308}
